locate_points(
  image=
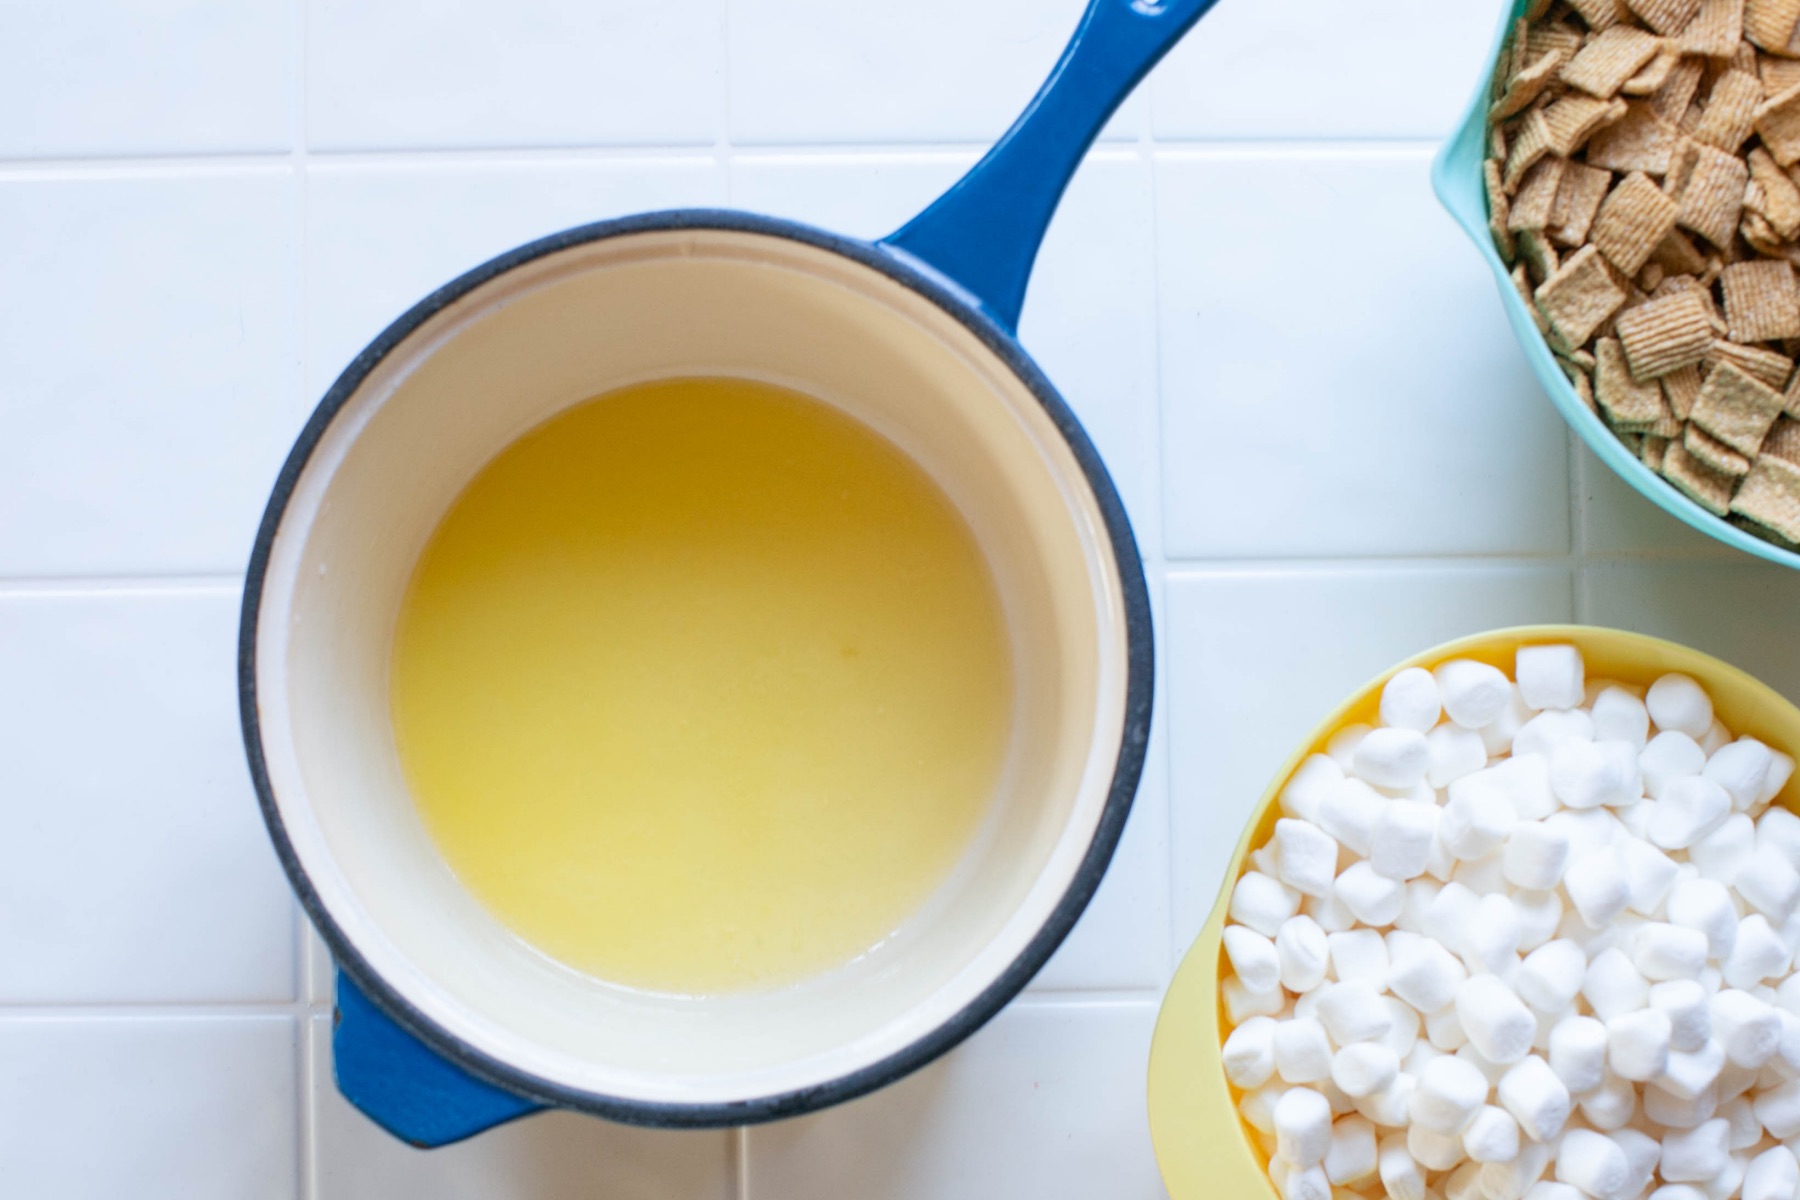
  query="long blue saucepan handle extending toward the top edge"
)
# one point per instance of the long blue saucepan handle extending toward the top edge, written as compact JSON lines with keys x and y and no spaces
{"x":984,"y":233}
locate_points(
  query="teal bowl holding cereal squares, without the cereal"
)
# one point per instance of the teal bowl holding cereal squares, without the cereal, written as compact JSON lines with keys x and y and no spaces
{"x":1457,"y":179}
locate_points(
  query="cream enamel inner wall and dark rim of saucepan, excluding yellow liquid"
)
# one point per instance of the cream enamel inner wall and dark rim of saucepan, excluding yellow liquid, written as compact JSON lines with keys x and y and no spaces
{"x":523,"y":339}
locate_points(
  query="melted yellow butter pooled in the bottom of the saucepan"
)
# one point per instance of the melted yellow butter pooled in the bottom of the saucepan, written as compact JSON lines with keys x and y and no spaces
{"x":703,"y":686}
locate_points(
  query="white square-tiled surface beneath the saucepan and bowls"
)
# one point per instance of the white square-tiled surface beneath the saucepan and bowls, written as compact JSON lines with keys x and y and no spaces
{"x":1295,"y":370}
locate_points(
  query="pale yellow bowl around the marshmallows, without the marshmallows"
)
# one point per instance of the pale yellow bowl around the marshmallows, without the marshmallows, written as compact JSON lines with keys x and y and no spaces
{"x":1201,"y":1143}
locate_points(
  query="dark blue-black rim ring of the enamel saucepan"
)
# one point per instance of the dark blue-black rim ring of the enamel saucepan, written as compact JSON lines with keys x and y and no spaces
{"x":1128,"y":769}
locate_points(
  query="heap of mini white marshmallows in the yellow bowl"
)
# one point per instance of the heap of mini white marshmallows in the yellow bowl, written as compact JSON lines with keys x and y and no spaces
{"x":1525,"y":942}
